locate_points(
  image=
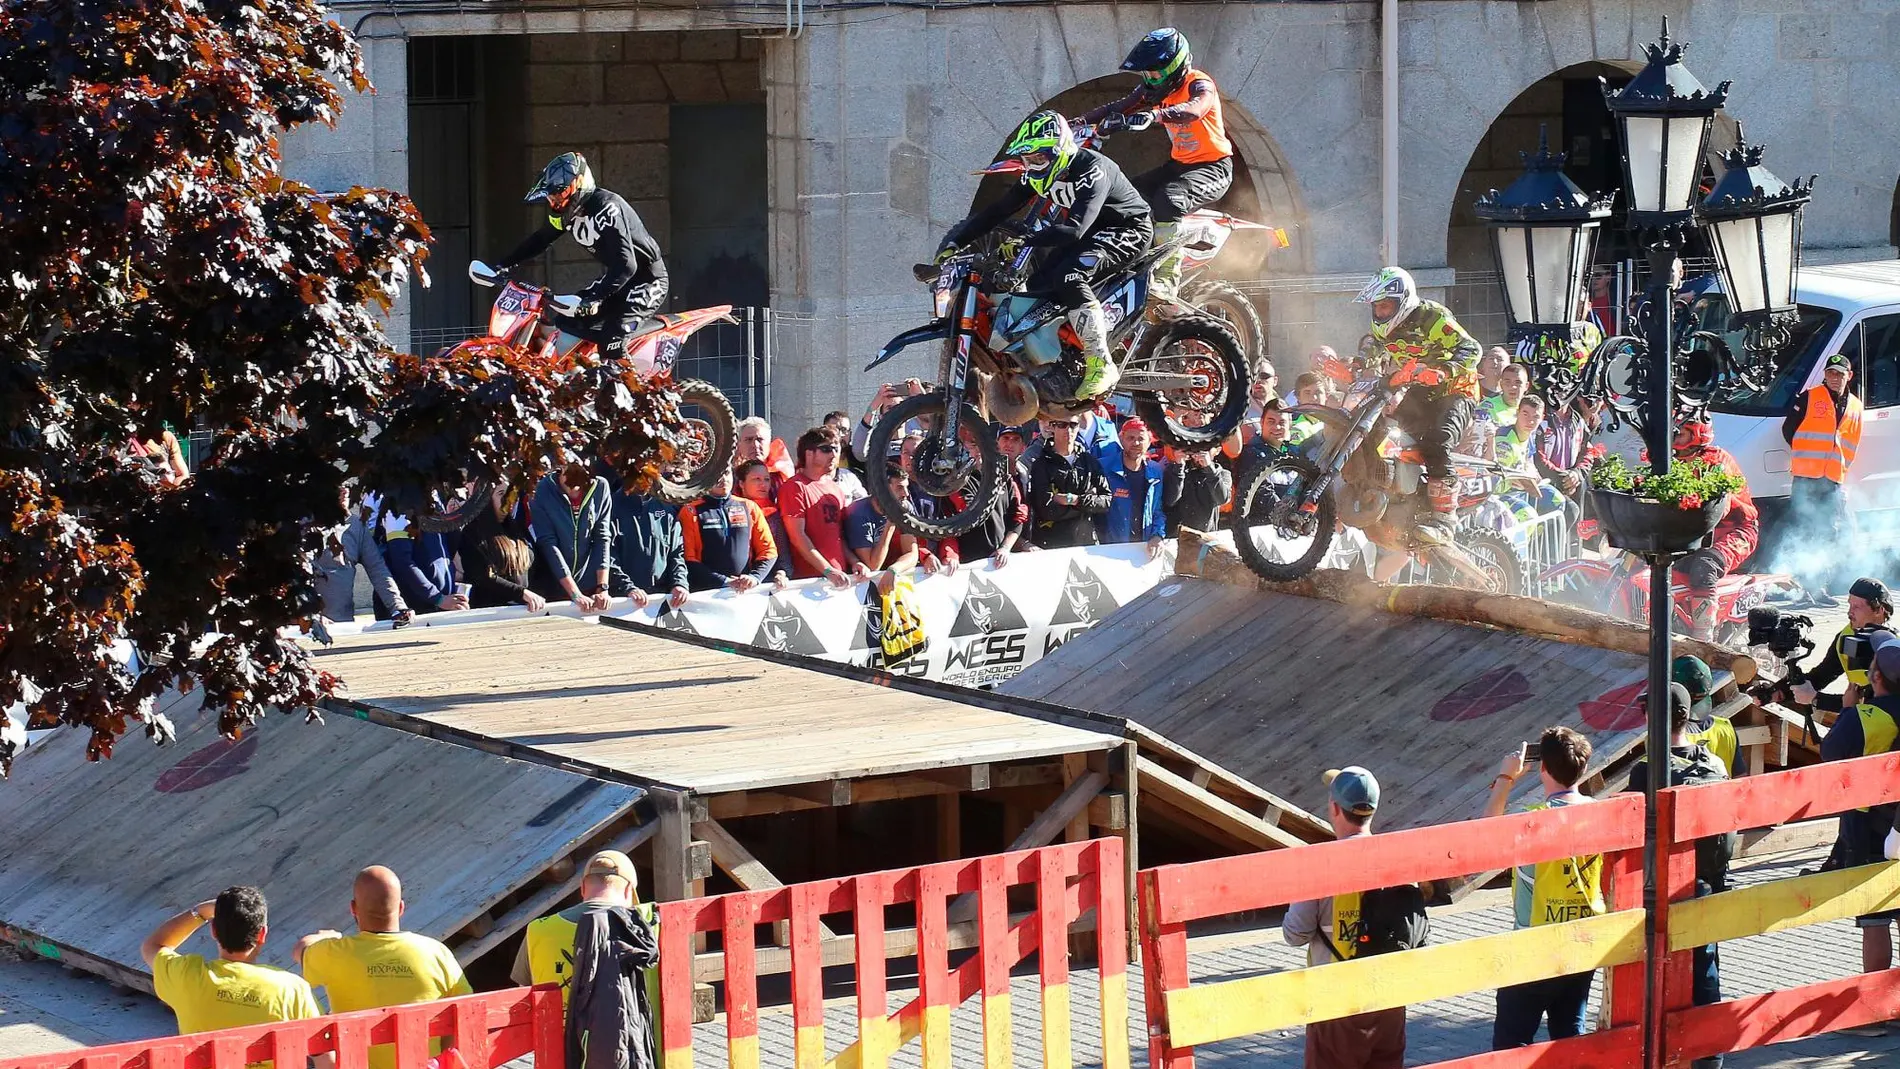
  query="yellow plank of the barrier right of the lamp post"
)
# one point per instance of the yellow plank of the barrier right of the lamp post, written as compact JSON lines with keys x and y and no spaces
{"x":1785,"y":905}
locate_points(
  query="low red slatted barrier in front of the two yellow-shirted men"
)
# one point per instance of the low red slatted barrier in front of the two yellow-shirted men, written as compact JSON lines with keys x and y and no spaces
{"x":484,"y":1030}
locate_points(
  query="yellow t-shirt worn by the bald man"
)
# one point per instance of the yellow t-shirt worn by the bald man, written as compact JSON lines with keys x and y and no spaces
{"x":371,"y":971}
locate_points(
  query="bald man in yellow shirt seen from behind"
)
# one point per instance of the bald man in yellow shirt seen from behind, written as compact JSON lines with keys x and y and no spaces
{"x":381,"y":966}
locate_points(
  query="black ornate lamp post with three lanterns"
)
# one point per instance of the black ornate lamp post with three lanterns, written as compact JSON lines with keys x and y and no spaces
{"x":1755,"y":225}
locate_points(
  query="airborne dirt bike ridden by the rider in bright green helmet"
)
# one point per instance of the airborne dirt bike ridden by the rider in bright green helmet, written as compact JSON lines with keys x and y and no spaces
{"x":1012,"y":356}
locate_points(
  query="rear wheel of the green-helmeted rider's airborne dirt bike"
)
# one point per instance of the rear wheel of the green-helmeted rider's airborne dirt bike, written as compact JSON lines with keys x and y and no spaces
{"x":1198,"y":345}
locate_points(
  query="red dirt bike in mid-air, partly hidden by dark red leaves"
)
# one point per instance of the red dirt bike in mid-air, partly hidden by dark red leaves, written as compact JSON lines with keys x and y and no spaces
{"x":522,"y":318}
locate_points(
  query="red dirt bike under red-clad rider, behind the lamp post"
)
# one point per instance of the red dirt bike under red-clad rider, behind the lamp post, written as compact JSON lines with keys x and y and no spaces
{"x":1620,"y":586}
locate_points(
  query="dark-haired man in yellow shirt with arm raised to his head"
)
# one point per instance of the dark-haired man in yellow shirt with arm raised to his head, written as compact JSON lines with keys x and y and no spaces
{"x":231,"y":990}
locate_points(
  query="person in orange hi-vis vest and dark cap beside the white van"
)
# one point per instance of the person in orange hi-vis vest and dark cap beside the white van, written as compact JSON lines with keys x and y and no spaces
{"x":1823,"y":430}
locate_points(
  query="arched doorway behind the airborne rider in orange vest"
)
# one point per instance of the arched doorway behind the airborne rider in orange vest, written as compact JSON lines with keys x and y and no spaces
{"x":1263,"y":191}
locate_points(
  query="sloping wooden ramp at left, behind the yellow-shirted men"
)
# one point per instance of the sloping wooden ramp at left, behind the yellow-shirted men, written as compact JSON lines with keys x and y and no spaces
{"x":94,"y":855}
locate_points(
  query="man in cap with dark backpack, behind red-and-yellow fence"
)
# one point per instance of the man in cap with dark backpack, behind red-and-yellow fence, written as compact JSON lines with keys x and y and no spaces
{"x":1325,"y":928}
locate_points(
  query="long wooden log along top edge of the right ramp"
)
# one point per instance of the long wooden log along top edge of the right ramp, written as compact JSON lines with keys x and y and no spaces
{"x":1506,"y":612}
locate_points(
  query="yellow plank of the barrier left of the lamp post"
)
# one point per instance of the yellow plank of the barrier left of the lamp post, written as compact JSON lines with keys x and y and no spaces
{"x":1211,"y":1013}
